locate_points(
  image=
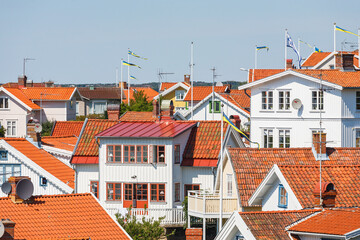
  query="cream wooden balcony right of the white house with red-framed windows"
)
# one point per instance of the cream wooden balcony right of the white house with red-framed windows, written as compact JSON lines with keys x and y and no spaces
{"x":204,"y":204}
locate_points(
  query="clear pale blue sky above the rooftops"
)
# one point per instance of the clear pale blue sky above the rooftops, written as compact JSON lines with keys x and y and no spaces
{"x":83,"y":41}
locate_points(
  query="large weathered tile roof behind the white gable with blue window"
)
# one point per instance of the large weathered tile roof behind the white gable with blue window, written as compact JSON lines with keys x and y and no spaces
{"x":251,"y":165}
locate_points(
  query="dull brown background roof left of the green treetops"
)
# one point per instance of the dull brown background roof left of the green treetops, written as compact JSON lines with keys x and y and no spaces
{"x":101,"y":93}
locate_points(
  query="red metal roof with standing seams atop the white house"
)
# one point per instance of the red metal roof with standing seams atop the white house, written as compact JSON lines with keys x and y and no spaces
{"x":146,"y":129}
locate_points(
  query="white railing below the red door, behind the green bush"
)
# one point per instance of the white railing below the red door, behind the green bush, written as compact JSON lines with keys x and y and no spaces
{"x":173,"y":216}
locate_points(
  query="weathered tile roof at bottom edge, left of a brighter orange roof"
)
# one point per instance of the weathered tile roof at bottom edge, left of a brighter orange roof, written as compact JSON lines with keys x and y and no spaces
{"x":271,"y":224}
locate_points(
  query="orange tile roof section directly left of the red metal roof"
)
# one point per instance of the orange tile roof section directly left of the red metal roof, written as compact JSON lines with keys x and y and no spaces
{"x":87,"y":146}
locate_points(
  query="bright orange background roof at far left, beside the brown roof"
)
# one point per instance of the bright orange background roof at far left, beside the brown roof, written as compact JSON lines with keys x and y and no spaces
{"x":49,"y":93}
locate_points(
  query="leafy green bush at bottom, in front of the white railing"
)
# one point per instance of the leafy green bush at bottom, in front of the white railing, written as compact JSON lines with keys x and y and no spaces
{"x":146,"y":229}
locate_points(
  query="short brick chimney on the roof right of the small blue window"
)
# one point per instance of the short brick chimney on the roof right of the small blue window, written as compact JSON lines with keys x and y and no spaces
{"x":328,"y":195}
